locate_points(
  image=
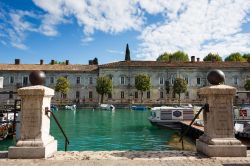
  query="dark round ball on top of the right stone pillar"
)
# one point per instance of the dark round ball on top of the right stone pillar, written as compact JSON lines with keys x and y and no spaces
{"x":216,"y":77}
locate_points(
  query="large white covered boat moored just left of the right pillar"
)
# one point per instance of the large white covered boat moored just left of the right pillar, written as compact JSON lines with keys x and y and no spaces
{"x":169,"y":116}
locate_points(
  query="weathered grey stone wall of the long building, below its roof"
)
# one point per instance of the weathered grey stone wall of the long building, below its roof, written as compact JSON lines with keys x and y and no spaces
{"x":233,"y":75}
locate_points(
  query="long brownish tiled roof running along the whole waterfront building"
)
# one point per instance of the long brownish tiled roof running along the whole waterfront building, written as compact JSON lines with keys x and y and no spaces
{"x":123,"y":64}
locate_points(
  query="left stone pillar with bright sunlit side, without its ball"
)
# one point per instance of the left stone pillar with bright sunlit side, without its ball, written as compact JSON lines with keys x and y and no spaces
{"x":35,"y":140}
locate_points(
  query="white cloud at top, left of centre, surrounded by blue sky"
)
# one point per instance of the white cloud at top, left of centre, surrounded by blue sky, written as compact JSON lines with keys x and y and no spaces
{"x":109,"y":16}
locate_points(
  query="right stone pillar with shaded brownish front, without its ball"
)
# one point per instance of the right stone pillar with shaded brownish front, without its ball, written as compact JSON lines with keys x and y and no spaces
{"x":218,"y":139}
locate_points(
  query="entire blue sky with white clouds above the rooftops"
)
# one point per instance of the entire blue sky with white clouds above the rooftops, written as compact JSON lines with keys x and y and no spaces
{"x":80,"y":30}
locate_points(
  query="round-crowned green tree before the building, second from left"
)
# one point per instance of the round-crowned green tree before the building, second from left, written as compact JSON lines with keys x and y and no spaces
{"x":103,"y":86}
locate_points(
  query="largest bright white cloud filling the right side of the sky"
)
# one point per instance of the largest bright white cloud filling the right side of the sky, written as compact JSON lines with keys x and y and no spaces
{"x":203,"y":27}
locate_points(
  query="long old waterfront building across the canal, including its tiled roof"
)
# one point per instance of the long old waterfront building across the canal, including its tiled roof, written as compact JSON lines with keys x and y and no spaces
{"x":82,"y":79}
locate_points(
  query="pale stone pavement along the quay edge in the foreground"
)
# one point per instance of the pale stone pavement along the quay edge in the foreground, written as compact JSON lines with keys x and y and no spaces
{"x":127,"y":158}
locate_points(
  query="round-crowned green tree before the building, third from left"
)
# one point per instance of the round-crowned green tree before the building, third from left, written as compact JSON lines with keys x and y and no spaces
{"x":142,"y":83}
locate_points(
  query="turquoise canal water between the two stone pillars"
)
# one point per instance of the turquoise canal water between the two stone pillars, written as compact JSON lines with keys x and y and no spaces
{"x":106,"y":130}
